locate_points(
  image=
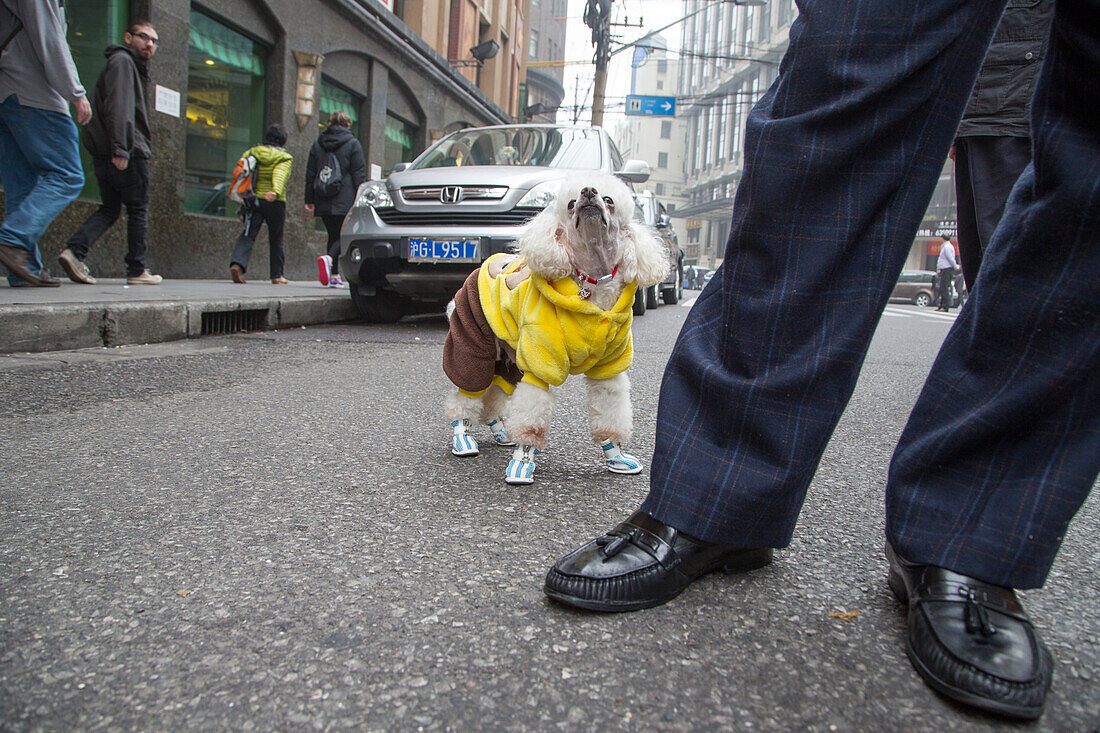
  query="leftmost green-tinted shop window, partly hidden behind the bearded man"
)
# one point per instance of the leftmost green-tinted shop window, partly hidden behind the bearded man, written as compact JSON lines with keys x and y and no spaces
{"x":92,"y":28}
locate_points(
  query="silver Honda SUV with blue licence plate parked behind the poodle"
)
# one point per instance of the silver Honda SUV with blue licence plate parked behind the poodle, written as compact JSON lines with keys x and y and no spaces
{"x":410,"y":242}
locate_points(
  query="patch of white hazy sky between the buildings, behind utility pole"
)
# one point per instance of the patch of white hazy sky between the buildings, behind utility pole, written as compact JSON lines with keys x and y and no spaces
{"x":578,"y":80}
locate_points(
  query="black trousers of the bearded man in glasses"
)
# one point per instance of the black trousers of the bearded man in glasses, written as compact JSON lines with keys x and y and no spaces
{"x":119,"y":189}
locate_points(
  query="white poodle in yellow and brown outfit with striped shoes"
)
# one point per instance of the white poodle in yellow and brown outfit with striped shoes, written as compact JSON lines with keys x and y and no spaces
{"x":564,"y":305}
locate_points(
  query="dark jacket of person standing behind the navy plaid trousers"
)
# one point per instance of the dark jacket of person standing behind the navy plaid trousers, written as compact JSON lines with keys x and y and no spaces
{"x":1002,"y":100}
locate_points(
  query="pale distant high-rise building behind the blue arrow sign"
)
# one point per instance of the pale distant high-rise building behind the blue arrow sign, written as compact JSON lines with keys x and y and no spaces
{"x":661,"y":141}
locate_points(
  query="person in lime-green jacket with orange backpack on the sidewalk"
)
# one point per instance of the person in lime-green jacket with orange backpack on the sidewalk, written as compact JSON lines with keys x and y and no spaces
{"x":272,"y":174}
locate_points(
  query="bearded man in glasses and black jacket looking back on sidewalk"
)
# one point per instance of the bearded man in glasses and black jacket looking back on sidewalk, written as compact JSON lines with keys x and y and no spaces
{"x":119,"y":143}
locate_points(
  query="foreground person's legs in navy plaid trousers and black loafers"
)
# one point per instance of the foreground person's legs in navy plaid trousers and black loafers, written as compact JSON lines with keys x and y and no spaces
{"x":1004,"y":444}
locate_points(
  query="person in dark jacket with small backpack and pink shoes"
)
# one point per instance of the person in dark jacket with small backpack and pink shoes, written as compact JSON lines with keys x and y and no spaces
{"x":334,"y":174}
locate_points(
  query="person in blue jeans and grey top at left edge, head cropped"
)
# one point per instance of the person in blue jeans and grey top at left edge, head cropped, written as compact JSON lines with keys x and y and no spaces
{"x":40,"y":162}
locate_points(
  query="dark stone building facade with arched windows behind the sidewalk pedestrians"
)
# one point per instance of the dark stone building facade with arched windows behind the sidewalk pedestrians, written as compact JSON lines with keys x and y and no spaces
{"x":227,"y":69}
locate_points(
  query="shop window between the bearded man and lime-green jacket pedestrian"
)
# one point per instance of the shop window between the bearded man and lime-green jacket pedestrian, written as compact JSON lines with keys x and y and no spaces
{"x":226,"y":101}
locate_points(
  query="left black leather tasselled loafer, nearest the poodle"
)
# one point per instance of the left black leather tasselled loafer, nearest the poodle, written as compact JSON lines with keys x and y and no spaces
{"x":641,"y":564}
